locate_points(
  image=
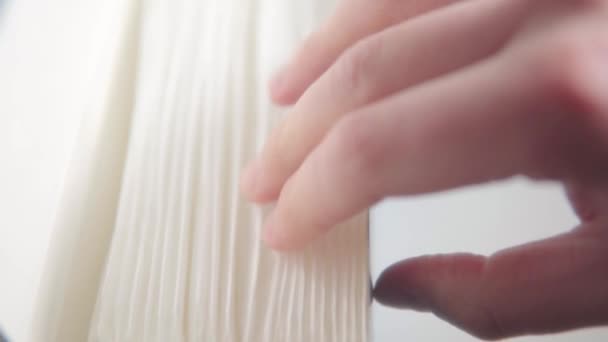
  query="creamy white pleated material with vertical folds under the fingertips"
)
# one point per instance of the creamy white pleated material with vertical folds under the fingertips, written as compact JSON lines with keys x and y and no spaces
{"x":156,"y":243}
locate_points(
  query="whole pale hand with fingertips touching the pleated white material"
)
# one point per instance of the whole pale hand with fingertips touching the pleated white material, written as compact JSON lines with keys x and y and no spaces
{"x":403,"y":97}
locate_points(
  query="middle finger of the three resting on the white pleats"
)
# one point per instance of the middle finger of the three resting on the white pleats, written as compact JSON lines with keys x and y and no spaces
{"x":443,"y":41}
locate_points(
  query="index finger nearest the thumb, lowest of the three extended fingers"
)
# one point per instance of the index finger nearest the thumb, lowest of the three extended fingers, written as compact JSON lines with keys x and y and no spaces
{"x":505,"y":116}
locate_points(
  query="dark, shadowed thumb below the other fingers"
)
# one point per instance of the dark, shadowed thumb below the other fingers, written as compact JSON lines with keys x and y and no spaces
{"x":548,"y":286}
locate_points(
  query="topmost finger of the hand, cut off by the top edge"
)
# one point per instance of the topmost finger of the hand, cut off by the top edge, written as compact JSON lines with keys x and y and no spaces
{"x":352,"y":21}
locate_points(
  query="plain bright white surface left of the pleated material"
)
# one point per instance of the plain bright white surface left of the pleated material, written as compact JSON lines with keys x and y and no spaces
{"x":37,"y":42}
